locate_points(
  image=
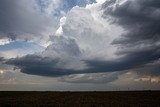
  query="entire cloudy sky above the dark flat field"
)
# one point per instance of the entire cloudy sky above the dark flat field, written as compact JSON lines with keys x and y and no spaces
{"x":79,"y":45}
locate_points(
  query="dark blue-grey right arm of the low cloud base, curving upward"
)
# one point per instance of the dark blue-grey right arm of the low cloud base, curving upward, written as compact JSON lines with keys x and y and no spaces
{"x":130,"y":61}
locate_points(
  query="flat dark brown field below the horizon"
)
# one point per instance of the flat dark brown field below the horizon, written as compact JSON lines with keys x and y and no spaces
{"x":80,"y":99}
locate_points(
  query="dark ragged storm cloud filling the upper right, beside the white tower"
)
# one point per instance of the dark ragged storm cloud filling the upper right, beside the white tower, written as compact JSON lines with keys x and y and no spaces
{"x":141,"y":20}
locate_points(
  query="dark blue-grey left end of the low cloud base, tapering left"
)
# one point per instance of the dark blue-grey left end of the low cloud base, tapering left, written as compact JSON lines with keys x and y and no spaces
{"x":36,"y":65}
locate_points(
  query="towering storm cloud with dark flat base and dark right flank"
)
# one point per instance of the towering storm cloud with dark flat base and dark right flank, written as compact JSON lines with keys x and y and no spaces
{"x":81,"y":47}
